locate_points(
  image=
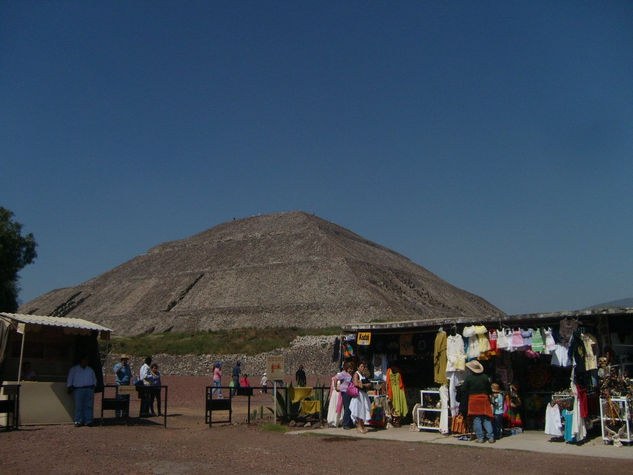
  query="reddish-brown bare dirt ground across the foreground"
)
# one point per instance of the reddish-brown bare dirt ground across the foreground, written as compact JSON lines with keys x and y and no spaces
{"x":187,"y":445}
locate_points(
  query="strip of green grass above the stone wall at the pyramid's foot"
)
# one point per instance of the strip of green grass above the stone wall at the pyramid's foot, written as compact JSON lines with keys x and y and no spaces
{"x":249,"y":341}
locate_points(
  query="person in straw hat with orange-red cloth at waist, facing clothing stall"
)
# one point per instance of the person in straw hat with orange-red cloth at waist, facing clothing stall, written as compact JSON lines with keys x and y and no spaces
{"x":477,"y":388}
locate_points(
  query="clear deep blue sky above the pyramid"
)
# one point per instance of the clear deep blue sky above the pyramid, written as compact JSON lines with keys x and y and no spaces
{"x":490,"y":142}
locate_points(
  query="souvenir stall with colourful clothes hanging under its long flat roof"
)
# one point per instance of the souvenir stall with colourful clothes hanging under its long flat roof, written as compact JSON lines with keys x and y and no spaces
{"x":537,"y":361}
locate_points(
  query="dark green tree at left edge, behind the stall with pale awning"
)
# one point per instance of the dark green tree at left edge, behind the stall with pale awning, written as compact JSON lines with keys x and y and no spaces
{"x":16,"y":251}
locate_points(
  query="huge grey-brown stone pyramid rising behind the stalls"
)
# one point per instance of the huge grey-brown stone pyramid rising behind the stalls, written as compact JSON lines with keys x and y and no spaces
{"x":284,"y":269}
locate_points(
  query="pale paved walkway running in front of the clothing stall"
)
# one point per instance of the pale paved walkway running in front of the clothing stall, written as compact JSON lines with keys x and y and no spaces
{"x":531,"y":441}
